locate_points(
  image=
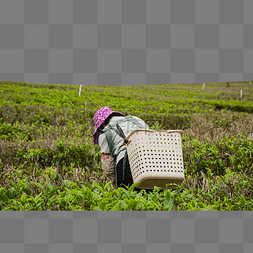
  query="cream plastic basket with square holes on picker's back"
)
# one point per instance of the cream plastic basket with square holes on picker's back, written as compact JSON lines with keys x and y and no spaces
{"x":155,"y":158}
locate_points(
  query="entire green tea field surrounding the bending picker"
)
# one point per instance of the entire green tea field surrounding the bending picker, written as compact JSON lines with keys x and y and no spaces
{"x":49,"y":162}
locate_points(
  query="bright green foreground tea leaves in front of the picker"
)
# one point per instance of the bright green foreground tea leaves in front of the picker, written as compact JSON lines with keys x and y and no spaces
{"x":102,"y":197}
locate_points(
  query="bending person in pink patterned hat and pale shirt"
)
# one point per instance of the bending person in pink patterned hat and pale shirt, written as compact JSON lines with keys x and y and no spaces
{"x":114,"y":160}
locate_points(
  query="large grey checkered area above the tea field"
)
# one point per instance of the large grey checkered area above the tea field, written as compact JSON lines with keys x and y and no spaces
{"x":134,"y":42}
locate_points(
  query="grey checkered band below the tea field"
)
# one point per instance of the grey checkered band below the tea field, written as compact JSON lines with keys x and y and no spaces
{"x":116,"y":232}
